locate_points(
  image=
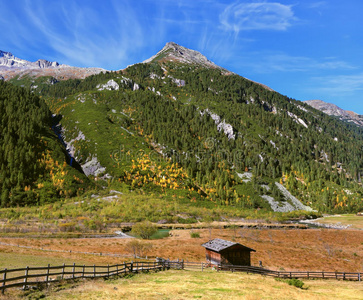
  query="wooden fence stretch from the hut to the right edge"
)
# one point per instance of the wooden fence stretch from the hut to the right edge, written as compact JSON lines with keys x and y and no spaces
{"x":292,"y":274}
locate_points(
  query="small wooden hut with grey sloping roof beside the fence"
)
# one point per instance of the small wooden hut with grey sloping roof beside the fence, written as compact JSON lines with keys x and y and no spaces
{"x":219,"y":252}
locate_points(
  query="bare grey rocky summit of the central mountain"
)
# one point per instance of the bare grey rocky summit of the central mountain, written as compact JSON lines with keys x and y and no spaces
{"x":174,"y":52}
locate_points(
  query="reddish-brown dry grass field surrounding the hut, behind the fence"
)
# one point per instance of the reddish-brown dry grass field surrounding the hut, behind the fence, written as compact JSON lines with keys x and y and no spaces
{"x":310,"y":249}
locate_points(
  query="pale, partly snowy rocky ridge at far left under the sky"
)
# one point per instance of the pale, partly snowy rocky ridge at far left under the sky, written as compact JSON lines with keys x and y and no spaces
{"x":11,"y":67}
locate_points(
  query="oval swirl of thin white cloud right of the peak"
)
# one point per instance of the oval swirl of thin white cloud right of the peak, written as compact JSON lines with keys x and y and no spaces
{"x":256,"y":16}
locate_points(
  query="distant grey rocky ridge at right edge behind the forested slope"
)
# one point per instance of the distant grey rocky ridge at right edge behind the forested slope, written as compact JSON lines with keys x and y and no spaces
{"x":334,"y":110}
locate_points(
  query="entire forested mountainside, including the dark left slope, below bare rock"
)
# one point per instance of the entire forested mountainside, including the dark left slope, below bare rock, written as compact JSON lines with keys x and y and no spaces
{"x":181,"y":130}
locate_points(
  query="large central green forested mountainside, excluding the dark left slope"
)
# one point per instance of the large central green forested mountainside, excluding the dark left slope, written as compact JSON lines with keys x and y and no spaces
{"x":218,"y":128}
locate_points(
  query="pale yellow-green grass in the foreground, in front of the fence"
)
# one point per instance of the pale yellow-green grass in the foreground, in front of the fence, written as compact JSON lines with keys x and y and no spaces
{"x":186,"y":284}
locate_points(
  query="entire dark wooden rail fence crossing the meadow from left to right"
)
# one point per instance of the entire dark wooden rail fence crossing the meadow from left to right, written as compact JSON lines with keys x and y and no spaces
{"x":30,"y":276}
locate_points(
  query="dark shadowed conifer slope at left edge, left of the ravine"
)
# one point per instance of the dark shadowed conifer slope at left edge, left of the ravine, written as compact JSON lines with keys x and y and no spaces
{"x":33,"y":162}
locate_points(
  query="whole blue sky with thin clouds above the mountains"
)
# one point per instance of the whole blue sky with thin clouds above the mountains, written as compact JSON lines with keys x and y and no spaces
{"x":304,"y":49}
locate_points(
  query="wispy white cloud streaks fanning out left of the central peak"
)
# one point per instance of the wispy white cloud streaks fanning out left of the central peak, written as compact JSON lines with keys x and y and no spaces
{"x":108,"y":36}
